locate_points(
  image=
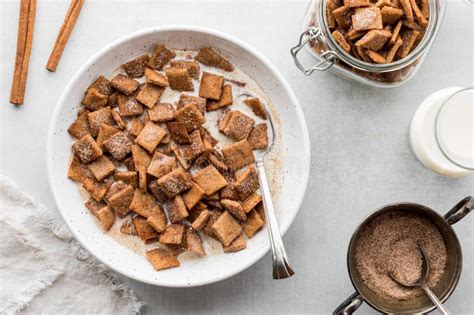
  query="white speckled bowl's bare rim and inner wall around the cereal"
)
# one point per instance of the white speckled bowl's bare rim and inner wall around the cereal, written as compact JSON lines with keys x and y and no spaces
{"x":295,"y":145}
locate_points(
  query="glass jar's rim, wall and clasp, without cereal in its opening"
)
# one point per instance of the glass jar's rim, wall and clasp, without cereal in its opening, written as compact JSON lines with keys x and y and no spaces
{"x":330,"y":55}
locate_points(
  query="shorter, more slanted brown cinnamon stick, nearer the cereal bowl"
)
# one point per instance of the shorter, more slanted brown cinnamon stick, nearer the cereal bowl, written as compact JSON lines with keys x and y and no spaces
{"x":64,"y":33}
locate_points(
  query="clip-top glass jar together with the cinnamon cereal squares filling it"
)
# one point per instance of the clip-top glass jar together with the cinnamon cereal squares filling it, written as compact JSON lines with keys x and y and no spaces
{"x":380,"y":43}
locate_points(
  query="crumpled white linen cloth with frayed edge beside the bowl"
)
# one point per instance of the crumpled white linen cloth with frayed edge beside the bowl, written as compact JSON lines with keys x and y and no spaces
{"x":43,"y":269}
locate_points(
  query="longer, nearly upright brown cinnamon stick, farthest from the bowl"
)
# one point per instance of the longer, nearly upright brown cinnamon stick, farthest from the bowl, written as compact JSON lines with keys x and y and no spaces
{"x":26,"y":23}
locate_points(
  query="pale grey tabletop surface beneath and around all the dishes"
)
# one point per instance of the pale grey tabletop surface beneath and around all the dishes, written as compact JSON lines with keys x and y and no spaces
{"x":361,"y":158}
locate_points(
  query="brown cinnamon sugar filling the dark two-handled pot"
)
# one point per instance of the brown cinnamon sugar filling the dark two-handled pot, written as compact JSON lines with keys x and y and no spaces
{"x":389,"y":245}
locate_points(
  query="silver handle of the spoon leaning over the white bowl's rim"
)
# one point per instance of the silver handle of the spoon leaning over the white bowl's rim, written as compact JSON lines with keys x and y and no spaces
{"x":281,"y":266}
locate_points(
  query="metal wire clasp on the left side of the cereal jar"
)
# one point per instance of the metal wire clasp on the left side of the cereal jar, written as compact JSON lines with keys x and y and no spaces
{"x":328,"y":57}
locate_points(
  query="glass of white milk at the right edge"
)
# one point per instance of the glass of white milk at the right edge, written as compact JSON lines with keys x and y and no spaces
{"x":442,"y":132}
